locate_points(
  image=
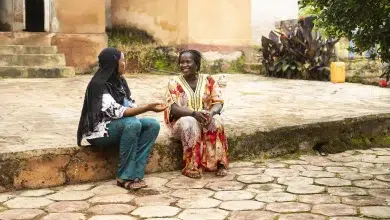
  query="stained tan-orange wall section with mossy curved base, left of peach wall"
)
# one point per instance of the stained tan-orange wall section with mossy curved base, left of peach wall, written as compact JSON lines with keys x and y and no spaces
{"x":163,"y":19}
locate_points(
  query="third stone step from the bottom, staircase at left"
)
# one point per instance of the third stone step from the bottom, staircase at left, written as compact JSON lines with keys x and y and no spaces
{"x":23,"y":49}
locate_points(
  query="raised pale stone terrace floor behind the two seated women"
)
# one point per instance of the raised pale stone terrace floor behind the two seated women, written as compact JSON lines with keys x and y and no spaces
{"x":44,"y":113}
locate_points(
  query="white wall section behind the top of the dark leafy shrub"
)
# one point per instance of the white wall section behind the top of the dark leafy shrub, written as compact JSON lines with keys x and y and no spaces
{"x":265,"y":13}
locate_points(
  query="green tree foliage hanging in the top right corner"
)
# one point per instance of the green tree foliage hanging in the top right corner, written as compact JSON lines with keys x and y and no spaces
{"x":366,"y":22}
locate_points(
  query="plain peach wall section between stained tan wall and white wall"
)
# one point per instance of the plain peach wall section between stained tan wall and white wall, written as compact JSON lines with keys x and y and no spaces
{"x":220,"y":22}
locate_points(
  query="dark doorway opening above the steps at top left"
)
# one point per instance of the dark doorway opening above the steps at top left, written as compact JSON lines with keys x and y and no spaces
{"x":35,"y":15}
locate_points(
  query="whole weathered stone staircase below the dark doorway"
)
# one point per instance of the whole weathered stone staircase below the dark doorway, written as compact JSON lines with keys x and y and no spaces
{"x":33,"y":61}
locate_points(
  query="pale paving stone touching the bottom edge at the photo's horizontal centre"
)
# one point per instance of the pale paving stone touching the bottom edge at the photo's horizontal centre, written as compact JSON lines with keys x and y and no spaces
{"x":203,"y":214}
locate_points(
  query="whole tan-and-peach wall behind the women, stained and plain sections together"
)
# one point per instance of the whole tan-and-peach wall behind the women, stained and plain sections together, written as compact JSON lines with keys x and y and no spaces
{"x":217,"y":22}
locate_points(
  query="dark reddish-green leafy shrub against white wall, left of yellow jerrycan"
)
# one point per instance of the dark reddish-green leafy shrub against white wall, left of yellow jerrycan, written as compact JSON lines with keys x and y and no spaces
{"x":302,"y":53}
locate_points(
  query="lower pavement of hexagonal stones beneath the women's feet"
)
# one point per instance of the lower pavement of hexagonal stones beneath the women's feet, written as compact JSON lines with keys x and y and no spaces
{"x":347,"y":186}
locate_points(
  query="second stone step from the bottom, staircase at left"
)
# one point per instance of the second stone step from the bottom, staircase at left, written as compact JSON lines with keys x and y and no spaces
{"x":44,"y":60}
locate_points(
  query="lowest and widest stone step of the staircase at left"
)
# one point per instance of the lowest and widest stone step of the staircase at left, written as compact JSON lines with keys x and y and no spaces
{"x":36,"y":72}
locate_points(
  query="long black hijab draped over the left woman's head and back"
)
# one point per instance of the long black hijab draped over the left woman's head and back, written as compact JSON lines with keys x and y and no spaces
{"x":106,"y":79}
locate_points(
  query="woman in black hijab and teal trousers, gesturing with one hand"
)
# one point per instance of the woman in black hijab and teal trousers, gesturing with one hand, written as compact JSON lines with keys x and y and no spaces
{"x":108,"y":118}
